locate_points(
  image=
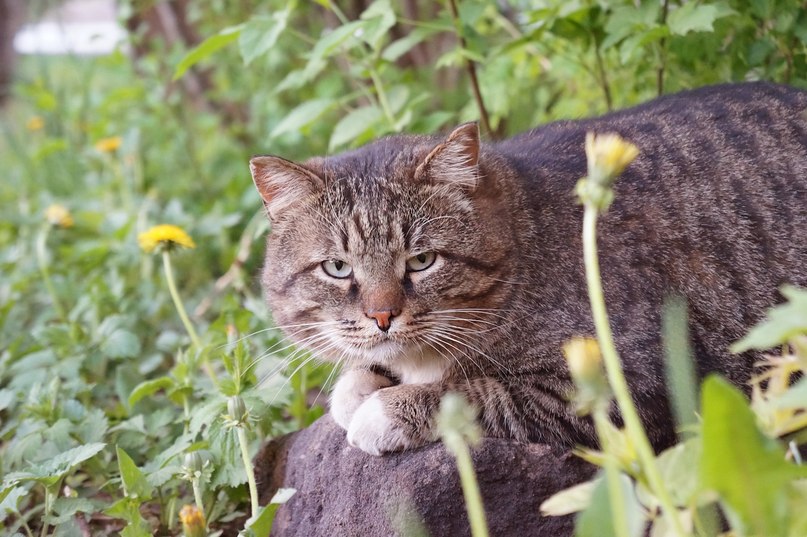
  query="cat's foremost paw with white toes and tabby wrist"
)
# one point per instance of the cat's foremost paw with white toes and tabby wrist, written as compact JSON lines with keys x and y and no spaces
{"x":396,"y":418}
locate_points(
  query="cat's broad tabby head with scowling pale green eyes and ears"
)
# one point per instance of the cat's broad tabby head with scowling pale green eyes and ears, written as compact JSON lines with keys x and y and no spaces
{"x":397,"y":247}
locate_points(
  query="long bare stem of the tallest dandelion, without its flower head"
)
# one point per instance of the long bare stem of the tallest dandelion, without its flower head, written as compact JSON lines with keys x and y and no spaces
{"x":616,"y":378}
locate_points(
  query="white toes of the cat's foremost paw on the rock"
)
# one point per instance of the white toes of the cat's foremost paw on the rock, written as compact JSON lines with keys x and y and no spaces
{"x":373,"y":431}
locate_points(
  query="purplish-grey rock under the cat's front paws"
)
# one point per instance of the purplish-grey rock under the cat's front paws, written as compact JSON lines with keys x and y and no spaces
{"x":342,"y":491}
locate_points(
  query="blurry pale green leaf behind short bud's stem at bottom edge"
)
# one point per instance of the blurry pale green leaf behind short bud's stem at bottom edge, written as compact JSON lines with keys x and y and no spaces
{"x":597,"y":520}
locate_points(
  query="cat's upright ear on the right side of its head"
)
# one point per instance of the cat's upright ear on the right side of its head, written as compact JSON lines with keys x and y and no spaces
{"x":455,"y":161}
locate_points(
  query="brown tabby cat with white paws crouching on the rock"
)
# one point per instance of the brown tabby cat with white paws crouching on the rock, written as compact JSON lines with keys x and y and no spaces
{"x":427,"y":264}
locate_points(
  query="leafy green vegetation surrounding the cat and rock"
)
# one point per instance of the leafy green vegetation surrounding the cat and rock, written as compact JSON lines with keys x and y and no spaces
{"x":106,"y":392}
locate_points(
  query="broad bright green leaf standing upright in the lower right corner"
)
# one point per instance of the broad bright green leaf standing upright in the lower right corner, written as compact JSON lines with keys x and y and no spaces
{"x":746,"y":468}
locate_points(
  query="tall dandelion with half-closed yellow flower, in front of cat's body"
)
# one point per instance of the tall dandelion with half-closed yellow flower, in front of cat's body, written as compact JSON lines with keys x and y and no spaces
{"x":608,"y":156}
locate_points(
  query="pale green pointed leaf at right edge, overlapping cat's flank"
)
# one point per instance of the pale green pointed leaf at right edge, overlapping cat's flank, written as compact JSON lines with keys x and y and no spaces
{"x":783,"y":323}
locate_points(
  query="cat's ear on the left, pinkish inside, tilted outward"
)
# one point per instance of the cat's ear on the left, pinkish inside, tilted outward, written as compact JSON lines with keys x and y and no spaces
{"x":282,"y":183}
